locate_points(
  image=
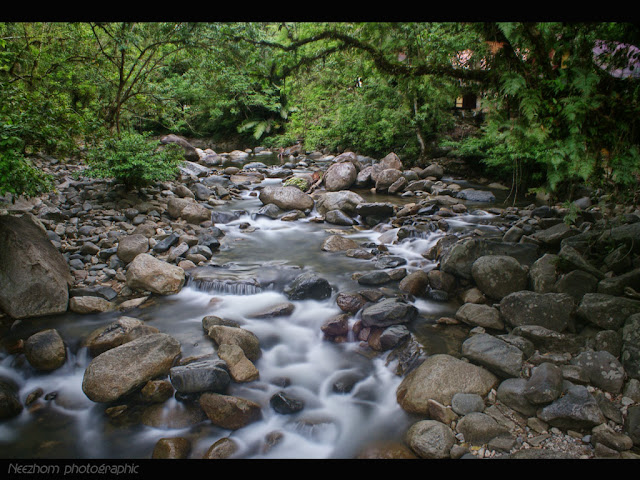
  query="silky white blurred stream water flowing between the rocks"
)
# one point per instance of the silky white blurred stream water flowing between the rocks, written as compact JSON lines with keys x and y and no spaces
{"x":248,"y":275}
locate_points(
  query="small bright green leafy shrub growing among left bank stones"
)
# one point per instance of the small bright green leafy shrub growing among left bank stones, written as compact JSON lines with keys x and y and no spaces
{"x":134,"y":161}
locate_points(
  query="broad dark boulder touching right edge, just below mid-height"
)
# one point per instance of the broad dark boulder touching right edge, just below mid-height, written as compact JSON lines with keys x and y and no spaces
{"x":606,"y":311}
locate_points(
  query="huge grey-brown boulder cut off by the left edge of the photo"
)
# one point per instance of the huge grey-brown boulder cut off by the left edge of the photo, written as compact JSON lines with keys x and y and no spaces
{"x":34,"y":276}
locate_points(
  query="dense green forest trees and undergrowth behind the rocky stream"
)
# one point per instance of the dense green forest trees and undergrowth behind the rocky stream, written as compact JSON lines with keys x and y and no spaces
{"x":553,"y":113}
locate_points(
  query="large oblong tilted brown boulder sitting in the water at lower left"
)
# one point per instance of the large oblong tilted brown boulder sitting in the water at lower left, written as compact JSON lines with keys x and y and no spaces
{"x":128,"y":367}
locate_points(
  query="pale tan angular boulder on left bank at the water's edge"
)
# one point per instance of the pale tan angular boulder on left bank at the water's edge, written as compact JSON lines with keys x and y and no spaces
{"x":146,"y":272}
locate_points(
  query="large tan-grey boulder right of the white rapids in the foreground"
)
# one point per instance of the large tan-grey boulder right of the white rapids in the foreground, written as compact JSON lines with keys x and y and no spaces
{"x":439,"y":378}
